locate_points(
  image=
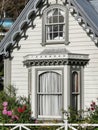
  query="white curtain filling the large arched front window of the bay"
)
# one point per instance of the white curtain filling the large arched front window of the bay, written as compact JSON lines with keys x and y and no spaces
{"x":50,"y":94}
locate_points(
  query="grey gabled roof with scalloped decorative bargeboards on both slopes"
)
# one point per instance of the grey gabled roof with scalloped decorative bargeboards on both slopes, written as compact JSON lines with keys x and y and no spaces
{"x":83,"y":11}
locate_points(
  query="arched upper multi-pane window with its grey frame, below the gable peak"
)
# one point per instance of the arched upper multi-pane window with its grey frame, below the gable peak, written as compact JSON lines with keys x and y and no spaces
{"x":54,"y":25}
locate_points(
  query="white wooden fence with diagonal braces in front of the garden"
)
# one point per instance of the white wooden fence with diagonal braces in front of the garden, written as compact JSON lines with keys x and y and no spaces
{"x":60,"y":126}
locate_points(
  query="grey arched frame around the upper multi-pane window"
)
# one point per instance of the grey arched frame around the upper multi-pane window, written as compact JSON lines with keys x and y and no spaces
{"x":44,"y":19}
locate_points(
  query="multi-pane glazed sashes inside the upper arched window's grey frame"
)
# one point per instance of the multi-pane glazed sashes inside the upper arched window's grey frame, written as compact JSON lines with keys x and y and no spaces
{"x":55,"y":25}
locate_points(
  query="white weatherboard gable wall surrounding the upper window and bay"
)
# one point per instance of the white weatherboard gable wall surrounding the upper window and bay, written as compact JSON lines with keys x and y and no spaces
{"x":79,"y":43}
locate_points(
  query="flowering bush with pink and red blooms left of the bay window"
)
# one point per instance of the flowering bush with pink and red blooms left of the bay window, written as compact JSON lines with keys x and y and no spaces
{"x":14,"y":109}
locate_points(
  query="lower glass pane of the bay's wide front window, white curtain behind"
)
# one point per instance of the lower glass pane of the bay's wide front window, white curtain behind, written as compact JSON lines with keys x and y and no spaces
{"x":50,"y":105}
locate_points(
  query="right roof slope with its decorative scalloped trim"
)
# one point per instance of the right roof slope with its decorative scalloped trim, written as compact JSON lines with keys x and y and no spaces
{"x":86,"y":16}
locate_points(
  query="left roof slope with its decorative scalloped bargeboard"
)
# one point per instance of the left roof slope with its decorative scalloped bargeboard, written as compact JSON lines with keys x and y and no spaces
{"x":18,"y":30}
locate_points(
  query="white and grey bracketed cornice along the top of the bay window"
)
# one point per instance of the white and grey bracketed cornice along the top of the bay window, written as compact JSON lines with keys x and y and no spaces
{"x":56,"y":59}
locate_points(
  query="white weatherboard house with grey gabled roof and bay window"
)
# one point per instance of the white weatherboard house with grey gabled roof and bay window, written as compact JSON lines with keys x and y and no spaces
{"x":51,"y":54}
